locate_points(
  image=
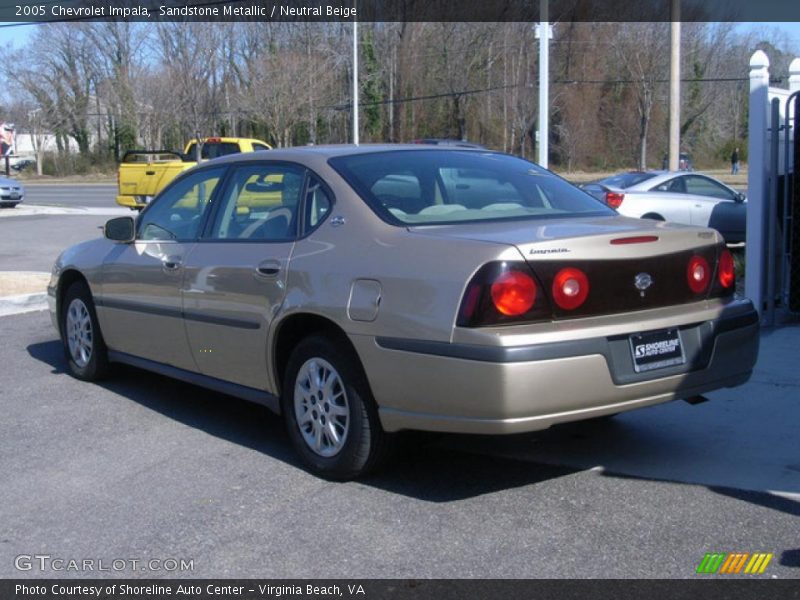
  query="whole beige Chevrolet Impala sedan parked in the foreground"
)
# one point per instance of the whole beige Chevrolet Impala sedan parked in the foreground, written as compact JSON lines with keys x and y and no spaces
{"x":361,"y":291}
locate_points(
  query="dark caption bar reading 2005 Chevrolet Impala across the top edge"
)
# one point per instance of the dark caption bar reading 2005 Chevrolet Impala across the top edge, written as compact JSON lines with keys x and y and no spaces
{"x":560,"y":11}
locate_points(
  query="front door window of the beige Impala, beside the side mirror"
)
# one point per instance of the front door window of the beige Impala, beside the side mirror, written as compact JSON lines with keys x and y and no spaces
{"x":177,"y":213}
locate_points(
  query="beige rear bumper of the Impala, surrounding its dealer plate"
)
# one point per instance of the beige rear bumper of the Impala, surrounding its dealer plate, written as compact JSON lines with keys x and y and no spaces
{"x":467,"y":388}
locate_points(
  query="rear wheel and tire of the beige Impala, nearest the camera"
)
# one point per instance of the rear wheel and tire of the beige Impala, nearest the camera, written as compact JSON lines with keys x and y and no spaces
{"x":330,"y":414}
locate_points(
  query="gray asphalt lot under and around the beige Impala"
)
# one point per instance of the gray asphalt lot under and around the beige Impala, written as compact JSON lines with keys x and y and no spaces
{"x":144,"y":468}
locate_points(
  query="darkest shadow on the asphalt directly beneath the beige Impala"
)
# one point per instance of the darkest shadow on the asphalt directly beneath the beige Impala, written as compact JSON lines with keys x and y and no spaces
{"x":422,"y":467}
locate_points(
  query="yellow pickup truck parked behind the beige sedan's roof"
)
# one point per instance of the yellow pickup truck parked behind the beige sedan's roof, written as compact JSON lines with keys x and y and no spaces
{"x":144,"y":173}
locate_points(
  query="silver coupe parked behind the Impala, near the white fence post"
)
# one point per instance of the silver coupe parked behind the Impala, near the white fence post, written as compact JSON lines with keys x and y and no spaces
{"x":690,"y":198}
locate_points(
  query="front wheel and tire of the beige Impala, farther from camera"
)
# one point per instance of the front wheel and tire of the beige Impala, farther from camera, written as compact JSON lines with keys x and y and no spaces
{"x":84,"y":347}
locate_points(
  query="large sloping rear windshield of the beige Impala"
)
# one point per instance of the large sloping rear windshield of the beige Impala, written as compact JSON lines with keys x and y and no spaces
{"x":434,"y":187}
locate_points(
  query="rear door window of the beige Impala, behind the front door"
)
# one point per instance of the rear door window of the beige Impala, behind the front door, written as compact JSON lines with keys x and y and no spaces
{"x":260,"y":203}
